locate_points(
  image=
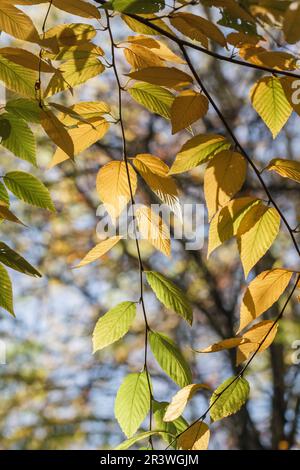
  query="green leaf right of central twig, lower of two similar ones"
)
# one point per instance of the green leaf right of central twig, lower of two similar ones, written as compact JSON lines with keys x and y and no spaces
{"x":170,"y":358}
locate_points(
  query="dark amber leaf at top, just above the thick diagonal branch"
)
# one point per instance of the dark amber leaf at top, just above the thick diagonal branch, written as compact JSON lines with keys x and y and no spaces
{"x":196,"y":27}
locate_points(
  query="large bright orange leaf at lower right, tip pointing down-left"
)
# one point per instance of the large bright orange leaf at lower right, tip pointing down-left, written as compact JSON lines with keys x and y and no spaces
{"x":262,"y":293}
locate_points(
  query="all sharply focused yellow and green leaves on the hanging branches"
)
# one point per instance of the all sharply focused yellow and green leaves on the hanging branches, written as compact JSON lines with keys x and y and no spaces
{"x":67,"y":55}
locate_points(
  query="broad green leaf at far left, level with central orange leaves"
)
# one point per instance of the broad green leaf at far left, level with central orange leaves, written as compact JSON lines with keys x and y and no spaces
{"x":29,"y":189}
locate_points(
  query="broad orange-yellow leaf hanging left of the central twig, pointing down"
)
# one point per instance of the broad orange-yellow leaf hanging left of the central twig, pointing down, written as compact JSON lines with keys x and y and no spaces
{"x":113,"y":187}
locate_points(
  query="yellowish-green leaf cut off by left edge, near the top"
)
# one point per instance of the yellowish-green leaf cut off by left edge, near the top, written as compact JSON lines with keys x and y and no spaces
{"x":18,"y":78}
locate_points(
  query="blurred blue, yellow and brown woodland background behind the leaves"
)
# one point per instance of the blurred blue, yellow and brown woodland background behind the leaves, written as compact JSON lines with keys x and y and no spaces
{"x":54,"y":393}
